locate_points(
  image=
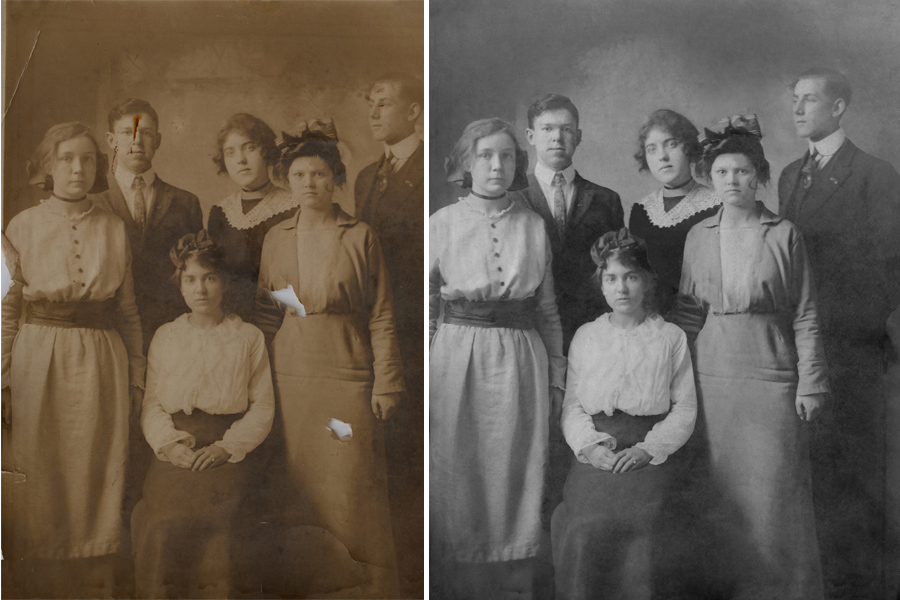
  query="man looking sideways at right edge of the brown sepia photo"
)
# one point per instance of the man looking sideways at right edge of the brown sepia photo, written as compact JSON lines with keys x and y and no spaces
{"x":390,"y":197}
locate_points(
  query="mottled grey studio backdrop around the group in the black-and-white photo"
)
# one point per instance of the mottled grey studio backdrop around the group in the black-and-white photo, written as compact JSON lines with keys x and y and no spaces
{"x":706,"y":59}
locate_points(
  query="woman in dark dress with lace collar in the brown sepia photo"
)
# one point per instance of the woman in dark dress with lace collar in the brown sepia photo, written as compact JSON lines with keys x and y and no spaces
{"x":239,"y":223}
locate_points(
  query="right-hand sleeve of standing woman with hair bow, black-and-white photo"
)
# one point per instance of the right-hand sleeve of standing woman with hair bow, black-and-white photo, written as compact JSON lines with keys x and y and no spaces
{"x":811,"y":366}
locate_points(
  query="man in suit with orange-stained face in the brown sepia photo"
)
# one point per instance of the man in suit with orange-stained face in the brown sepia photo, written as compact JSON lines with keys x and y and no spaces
{"x":156,"y":214}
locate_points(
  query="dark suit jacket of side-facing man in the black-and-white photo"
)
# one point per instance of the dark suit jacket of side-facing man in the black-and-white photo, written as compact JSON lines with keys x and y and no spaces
{"x":850,"y":218}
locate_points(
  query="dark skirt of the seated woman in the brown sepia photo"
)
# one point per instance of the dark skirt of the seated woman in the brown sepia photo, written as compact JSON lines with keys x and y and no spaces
{"x":181,"y":529}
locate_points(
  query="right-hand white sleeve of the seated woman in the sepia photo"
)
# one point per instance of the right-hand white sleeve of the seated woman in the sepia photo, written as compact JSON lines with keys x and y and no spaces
{"x":249,"y":432}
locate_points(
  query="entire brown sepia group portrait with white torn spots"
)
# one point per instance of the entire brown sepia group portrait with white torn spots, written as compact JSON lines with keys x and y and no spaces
{"x":213,"y":326}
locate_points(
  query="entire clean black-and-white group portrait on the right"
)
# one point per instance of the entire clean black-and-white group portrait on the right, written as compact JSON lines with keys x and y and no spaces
{"x":664,"y":281}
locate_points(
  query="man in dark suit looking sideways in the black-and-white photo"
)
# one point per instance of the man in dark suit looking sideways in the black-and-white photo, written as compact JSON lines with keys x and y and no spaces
{"x":847,"y":204}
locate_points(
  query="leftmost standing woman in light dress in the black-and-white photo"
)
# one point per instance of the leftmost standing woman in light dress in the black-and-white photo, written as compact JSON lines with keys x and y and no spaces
{"x":495,"y":360}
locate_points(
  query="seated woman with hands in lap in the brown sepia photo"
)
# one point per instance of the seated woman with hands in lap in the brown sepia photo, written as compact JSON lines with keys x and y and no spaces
{"x":209,"y":403}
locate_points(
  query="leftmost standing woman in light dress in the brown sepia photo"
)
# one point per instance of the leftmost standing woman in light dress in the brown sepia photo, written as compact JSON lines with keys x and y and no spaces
{"x":68,"y":373}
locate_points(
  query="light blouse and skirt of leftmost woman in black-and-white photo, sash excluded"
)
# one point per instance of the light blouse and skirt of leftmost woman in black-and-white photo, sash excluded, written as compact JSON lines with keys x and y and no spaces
{"x":489,"y":386}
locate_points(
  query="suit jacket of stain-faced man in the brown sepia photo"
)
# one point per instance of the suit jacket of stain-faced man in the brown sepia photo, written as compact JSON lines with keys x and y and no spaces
{"x":174,"y":213}
